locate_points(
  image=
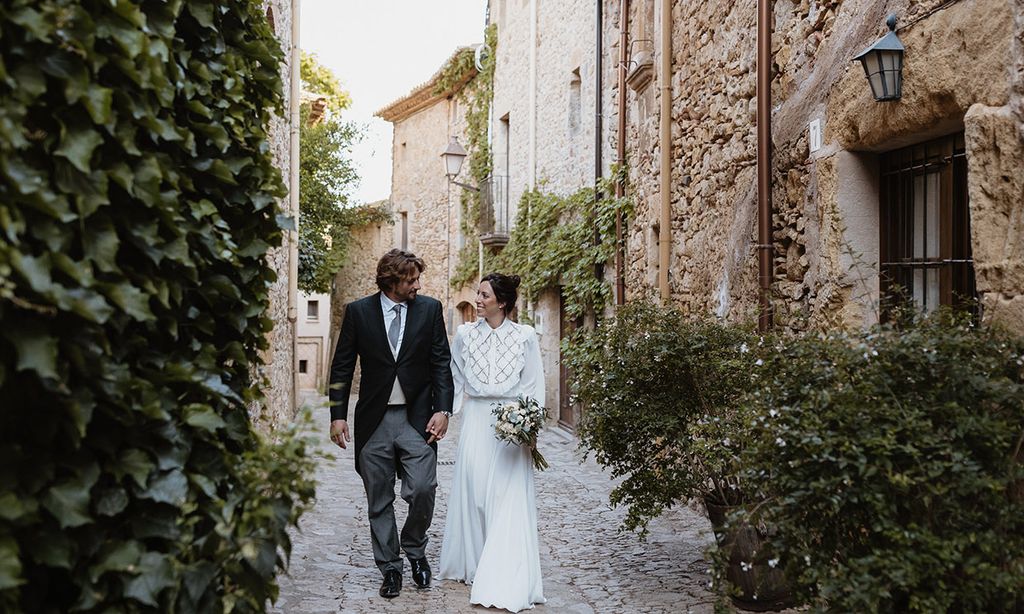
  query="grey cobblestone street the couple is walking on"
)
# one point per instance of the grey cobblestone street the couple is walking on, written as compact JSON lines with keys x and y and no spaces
{"x":588,"y":565}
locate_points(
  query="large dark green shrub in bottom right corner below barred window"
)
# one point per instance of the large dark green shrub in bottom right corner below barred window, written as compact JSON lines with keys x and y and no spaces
{"x":890,"y":463}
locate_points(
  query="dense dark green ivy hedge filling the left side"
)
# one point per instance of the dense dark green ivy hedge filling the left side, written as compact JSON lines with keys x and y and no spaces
{"x":138,"y":206}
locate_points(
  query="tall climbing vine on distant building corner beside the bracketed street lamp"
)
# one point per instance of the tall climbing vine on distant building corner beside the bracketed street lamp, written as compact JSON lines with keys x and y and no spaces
{"x":478,"y":96}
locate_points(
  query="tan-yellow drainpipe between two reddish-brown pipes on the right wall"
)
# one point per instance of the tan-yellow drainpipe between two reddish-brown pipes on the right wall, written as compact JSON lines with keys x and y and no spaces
{"x":665,"y":143}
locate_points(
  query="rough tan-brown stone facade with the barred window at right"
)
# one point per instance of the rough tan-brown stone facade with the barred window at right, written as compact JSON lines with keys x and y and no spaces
{"x":948,"y":157}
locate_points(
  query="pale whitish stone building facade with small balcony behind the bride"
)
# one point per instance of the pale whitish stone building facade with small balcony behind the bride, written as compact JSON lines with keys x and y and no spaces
{"x":543,"y":131}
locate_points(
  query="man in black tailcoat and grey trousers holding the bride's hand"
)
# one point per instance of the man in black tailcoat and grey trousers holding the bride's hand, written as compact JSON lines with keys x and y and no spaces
{"x":406,"y":394}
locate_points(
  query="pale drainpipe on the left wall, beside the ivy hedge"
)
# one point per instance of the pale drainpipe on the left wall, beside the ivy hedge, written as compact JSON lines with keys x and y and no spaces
{"x":293,"y":198}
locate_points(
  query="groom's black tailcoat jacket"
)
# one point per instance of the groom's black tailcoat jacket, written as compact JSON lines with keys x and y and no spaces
{"x":423,"y":367}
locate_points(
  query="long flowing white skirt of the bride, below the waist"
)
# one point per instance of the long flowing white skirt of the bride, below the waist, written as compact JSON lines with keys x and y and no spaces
{"x":491,"y":531}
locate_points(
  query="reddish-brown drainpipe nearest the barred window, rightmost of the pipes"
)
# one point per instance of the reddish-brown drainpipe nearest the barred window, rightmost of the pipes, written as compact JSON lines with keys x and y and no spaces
{"x":766,"y":251}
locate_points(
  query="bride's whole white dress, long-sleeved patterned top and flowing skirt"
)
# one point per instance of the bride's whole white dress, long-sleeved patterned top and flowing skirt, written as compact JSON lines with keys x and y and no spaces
{"x":491,"y":531}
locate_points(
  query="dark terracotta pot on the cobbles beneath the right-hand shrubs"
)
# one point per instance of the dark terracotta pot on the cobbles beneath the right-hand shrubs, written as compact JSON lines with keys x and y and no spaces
{"x":761,"y":588}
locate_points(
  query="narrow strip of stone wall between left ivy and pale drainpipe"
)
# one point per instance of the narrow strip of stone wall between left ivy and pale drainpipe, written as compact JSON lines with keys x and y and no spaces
{"x":279,"y":358}
